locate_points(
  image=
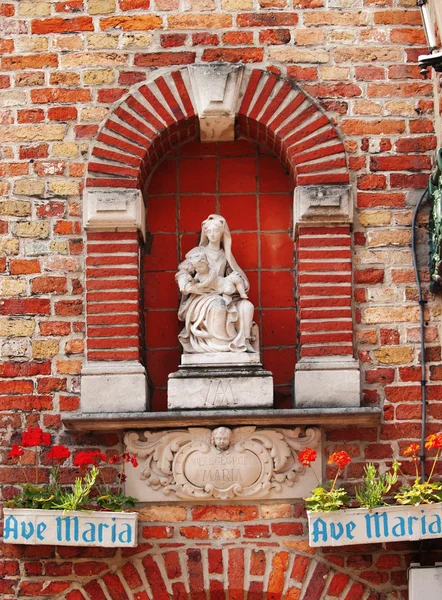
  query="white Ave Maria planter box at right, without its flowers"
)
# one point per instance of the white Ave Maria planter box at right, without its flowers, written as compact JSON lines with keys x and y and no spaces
{"x":385,"y":524}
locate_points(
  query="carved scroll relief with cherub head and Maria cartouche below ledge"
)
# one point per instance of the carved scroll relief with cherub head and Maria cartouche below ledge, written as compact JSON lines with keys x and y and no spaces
{"x":198,"y":463}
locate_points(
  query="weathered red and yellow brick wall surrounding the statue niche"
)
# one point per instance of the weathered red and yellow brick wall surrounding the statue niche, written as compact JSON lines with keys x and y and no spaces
{"x":64,"y":68}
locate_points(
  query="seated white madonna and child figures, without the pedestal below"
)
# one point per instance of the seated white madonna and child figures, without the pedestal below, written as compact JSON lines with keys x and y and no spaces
{"x":214,"y":307}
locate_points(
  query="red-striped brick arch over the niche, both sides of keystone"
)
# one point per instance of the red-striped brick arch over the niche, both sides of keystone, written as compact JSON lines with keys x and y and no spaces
{"x":157,"y":116}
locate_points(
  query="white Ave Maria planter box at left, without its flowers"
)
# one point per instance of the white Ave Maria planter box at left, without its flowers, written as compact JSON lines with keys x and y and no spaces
{"x":75,"y":528}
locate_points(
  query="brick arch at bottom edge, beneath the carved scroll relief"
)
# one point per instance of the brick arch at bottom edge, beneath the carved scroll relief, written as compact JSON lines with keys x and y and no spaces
{"x":201,"y":573}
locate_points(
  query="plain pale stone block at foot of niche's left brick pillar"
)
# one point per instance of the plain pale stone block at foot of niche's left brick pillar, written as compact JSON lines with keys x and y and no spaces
{"x":108,"y":387}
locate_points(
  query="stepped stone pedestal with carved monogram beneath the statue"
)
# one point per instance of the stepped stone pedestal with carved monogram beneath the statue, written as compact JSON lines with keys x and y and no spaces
{"x":220,"y":380}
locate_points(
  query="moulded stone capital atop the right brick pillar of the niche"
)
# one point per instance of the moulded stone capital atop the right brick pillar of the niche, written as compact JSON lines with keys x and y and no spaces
{"x":322,"y":205}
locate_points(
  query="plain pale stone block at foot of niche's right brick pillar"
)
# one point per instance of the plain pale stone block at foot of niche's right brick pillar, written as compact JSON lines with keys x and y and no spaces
{"x":327,"y":383}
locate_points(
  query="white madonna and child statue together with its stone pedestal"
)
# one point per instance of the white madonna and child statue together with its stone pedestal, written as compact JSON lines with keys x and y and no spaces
{"x":220,"y":364}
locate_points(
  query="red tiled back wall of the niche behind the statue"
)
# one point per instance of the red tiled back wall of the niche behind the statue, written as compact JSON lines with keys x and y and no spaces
{"x":249,"y":187}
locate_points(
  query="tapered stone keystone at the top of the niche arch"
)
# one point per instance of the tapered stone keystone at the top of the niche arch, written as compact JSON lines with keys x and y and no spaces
{"x":216,"y":89}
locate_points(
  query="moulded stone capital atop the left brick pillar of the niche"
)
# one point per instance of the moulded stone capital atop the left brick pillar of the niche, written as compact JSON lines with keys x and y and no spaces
{"x":114,"y":210}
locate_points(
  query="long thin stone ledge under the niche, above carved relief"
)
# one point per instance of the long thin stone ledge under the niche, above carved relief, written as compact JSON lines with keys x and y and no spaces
{"x":331,"y":417}
